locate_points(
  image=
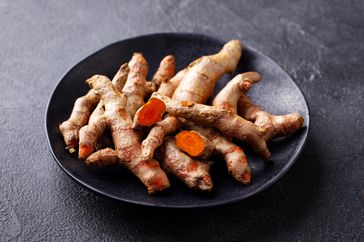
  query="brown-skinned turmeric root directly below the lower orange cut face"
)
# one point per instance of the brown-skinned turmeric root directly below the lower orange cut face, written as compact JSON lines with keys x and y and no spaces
{"x":194,"y":173}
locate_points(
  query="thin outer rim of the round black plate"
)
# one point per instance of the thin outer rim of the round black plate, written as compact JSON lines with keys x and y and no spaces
{"x":260,"y":189}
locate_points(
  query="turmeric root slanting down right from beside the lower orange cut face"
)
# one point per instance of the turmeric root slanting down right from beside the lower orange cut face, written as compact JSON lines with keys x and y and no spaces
{"x":234,"y":156}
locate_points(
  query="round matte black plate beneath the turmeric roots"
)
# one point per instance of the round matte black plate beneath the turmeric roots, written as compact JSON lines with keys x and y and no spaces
{"x":277,"y":92}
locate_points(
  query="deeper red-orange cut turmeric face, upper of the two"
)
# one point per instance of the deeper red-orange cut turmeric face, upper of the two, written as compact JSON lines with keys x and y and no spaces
{"x":151,"y":112}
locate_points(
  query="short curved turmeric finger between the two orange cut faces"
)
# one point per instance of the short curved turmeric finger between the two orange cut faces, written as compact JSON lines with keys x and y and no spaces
{"x":157,"y":134}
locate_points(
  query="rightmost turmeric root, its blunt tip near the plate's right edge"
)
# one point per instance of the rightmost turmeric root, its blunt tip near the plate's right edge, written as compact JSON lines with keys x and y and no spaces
{"x":270,"y":126}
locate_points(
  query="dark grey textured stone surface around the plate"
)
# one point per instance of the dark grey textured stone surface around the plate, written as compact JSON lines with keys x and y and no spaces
{"x":319,"y":43}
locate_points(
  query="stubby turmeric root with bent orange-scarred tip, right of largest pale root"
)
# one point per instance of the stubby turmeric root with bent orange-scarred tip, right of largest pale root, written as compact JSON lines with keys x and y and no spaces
{"x":229,"y":96}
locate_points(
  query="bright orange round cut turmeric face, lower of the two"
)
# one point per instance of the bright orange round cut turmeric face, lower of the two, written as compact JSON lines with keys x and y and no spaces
{"x":190,"y":142}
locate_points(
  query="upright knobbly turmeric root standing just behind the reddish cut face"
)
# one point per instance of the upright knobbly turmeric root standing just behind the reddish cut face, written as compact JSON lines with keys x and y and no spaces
{"x":136,"y":87}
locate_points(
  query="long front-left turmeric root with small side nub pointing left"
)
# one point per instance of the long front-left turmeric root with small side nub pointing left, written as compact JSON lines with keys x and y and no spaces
{"x":126,"y":140}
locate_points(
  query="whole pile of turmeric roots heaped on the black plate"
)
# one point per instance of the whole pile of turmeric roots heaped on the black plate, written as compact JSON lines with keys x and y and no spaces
{"x":175,"y":132}
